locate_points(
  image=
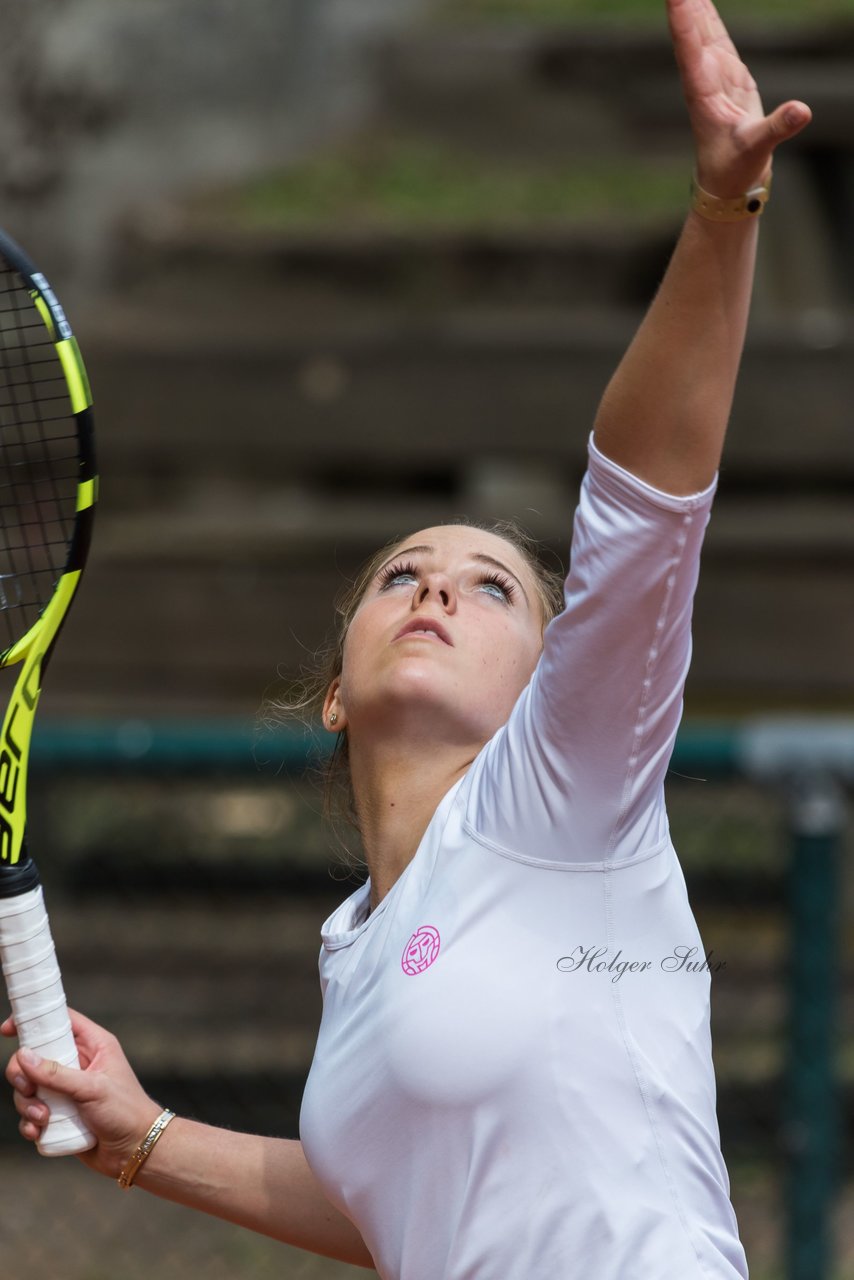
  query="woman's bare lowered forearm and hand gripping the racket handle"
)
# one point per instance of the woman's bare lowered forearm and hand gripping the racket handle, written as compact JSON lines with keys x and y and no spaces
{"x":264,"y":1185}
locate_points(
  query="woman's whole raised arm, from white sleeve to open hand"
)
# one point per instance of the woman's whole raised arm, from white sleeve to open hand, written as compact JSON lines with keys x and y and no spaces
{"x":577,"y":775}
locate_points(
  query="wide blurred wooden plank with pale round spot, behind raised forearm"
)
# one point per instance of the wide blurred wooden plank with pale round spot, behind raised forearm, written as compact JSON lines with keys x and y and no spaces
{"x":405,"y":396}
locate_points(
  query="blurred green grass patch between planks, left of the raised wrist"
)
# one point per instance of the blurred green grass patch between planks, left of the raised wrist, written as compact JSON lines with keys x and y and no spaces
{"x":391,"y":184}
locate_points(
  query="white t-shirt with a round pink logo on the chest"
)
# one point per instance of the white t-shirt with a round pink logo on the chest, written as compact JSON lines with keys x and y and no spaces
{"x":514,"y":1078}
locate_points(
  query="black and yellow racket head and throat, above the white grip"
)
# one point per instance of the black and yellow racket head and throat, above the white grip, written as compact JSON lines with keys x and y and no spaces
{"x":48,"y":495}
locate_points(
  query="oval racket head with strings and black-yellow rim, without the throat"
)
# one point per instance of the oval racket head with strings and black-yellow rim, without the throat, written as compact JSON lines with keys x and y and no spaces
{"x":48,"y":476}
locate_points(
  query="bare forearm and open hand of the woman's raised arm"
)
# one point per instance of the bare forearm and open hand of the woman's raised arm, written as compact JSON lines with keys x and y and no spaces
{"x":665,"y":414}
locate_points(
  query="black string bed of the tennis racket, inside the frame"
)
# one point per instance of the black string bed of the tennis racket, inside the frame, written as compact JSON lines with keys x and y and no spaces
{"x":39,"y":461}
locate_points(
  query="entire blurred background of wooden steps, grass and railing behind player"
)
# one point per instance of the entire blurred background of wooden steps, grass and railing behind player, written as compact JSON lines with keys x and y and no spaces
{"x":342,"y":269}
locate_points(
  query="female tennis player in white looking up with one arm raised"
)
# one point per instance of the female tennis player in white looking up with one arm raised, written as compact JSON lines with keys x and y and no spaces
{"x":514,"y":1076}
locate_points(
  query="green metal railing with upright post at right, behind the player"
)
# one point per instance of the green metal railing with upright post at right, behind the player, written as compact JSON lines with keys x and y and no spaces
{"x":807,"y":762}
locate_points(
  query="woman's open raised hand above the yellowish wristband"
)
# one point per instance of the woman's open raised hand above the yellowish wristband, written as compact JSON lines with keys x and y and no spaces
{"x":736,"y":140}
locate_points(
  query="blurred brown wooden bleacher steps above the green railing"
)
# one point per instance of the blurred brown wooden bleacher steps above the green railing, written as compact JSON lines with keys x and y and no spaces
{"x":271,"y":409}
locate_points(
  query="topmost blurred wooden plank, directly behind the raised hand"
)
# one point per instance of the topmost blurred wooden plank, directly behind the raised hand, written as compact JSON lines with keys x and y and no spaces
{"x":518,"y":88}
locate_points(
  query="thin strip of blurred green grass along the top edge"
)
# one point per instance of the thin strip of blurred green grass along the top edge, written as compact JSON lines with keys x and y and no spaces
{"x":637,"y":12}
